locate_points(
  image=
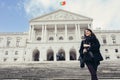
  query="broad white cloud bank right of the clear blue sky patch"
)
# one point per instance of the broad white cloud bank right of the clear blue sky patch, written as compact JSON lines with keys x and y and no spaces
{"x":105,"y":13}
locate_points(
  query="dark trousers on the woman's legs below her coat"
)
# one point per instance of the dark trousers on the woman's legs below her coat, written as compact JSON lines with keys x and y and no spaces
{"x":92,"y":67}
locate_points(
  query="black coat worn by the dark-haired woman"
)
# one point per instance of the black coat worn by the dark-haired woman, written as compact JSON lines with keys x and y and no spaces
{"x":94,"y":48}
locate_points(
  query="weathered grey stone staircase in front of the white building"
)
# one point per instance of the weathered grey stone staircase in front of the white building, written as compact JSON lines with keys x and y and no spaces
{"x":108,"y":70}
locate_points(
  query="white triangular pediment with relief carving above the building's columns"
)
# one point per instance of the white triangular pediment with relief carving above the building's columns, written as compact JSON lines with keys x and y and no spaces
{"x":61,"y":15}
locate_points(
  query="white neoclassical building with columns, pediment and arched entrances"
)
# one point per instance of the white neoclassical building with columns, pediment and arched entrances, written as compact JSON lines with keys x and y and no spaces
{"x":54,"y":37}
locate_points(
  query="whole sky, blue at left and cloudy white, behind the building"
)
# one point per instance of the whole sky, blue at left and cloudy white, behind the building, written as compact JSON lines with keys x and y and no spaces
{"x":15,"y":14}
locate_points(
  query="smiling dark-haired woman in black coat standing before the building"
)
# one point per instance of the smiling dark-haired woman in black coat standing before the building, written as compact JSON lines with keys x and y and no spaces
{"x":90,"y":53}
